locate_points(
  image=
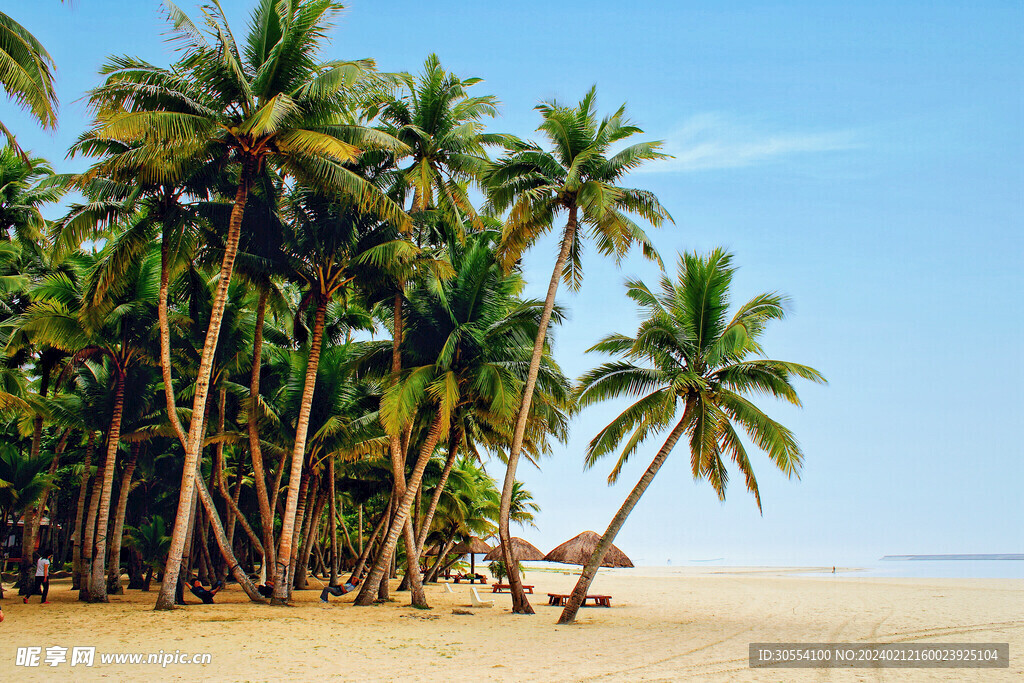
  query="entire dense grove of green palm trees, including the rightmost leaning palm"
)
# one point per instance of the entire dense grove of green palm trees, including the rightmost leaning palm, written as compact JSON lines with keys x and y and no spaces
{"x":277,"y":332}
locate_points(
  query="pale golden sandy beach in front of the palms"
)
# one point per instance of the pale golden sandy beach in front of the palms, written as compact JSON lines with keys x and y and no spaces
{"x":664,"y":625}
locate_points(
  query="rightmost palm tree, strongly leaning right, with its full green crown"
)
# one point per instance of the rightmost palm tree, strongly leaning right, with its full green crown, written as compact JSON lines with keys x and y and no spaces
{"x":692,"y":368}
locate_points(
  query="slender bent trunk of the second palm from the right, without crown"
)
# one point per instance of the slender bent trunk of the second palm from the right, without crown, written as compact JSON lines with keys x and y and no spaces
{"x":521,"y":606}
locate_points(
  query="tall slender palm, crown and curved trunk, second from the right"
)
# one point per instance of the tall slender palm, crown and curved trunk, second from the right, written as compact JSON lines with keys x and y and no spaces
{"x":580,"y":179}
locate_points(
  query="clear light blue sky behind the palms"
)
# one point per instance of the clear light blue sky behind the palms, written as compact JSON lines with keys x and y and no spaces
{"x":866,"y":159}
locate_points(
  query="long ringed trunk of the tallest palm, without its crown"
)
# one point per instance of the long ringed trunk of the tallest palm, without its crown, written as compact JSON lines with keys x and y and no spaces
{"x":195,"y":443}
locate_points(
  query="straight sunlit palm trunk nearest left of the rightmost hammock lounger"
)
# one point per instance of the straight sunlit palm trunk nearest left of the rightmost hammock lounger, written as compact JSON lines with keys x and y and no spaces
{"x":281,"y":585}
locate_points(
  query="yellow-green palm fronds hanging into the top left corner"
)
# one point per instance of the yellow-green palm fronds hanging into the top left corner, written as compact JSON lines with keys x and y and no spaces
{"x":27,"y":75}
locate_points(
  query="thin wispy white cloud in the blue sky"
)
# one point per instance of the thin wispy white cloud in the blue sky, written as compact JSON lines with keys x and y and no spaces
{"x":708,"y":142}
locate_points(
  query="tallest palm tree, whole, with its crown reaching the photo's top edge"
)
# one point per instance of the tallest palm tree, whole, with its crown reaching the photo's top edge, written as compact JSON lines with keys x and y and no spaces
{"x":272,"y":101}
